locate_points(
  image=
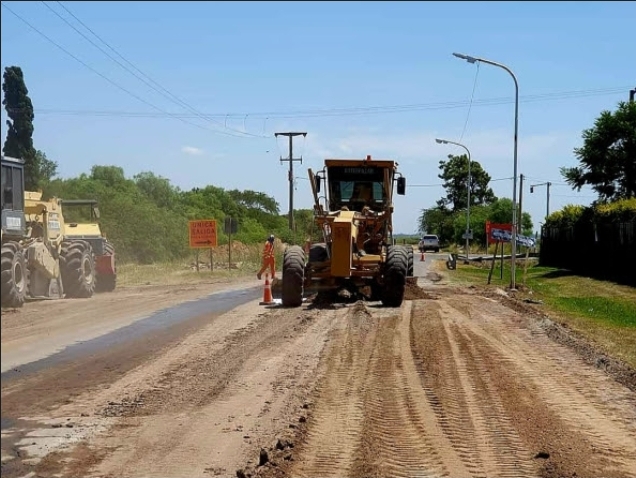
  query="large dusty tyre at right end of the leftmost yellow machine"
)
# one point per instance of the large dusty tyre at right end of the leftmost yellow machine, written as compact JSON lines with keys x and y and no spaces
{"x":78,"y":269}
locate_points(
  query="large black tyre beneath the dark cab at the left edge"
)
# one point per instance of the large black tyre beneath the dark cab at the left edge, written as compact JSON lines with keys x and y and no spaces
{"x":13,"y":275}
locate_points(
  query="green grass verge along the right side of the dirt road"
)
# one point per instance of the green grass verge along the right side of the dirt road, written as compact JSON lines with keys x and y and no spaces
{"x":601,"y":311}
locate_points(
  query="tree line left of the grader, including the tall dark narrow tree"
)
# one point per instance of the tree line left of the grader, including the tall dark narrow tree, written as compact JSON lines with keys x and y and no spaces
{"x":145,"y":216}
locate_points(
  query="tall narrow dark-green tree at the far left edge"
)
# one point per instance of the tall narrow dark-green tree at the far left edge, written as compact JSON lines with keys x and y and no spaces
{"x":19,"y":140}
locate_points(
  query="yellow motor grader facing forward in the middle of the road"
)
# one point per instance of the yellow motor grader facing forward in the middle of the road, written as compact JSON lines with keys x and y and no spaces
{"x":358,"y":252}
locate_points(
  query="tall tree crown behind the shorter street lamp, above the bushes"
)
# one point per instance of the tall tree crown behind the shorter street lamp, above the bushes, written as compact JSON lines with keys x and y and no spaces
{"x":455,"y":176}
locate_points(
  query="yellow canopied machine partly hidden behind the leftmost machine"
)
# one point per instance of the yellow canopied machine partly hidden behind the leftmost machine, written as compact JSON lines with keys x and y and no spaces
{"x":91,"y":232}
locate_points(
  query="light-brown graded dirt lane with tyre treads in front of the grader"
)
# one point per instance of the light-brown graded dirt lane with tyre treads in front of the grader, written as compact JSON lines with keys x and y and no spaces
{"x":461,"y":386}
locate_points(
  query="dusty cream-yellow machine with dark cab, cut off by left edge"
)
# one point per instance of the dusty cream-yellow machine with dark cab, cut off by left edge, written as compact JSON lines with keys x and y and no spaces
{"x":37,"y":261}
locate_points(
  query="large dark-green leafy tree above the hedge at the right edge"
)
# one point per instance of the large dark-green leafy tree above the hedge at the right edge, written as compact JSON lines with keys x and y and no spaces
{"x":608,"y":156}
